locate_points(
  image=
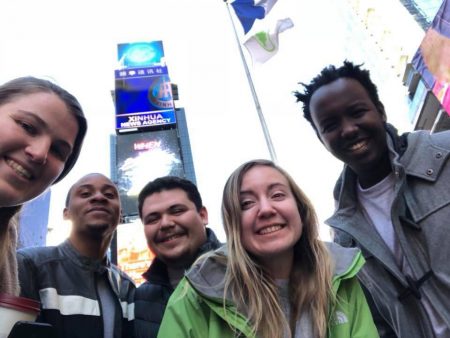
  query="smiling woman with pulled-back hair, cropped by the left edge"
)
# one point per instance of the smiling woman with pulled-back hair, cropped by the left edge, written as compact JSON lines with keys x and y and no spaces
{"x":43,"y":127}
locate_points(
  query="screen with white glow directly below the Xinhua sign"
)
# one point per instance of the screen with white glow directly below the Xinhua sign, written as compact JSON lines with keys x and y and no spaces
{"x":142,"y":157}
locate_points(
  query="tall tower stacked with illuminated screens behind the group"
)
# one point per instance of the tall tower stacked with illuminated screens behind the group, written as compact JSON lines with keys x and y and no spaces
{"x":151,"y":140}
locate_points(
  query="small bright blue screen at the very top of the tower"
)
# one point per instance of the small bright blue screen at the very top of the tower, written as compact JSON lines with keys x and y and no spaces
{"x":140,"y":54}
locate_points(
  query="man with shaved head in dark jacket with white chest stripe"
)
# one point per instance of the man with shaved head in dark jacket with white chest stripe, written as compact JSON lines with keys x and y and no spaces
{"x":82,"y":294}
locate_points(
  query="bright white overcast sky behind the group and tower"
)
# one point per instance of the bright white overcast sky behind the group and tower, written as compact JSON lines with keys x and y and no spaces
{"x":74,"y":44}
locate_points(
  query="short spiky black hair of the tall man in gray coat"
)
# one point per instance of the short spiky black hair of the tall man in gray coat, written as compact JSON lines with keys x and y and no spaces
{"x":330,"y":74}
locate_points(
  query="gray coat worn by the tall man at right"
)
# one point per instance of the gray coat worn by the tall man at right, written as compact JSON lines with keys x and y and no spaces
{"x":421,"y":220}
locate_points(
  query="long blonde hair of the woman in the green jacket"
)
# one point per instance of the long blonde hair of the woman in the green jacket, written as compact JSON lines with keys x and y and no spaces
{"x":252,"y":288}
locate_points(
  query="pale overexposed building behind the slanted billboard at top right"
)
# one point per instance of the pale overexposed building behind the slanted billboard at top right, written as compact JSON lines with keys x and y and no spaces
{"x":397,"y":29}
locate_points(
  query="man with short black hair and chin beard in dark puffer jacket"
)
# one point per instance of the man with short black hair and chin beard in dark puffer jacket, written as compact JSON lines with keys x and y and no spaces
{"x":174,"y":220}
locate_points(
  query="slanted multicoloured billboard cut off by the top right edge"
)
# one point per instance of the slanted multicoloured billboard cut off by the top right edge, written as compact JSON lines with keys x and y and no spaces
{"x":432,"y":59}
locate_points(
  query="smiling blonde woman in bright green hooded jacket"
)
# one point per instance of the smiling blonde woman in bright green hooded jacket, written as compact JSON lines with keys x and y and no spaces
{"x":274,"y":278}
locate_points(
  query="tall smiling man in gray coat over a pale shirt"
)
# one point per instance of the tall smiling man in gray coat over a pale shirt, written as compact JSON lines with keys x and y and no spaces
{"x":392,"y":201}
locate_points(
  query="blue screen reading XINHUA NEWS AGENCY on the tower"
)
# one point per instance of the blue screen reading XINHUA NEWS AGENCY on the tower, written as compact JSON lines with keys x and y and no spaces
{"x":143,"y":98}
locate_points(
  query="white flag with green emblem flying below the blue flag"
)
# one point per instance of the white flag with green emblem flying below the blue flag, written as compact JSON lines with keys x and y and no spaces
{"x":263,"y":45}
